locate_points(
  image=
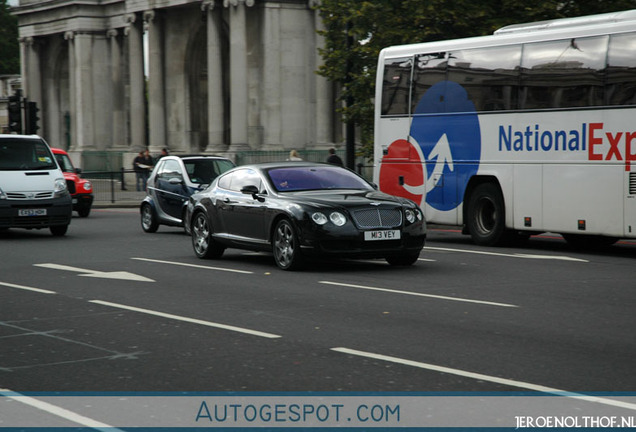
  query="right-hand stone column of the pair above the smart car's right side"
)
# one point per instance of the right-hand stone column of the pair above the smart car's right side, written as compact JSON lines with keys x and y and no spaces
{"x":238,"y":74}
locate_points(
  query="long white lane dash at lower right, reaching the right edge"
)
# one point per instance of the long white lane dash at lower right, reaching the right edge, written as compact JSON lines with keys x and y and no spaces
{"x":482,"y":377}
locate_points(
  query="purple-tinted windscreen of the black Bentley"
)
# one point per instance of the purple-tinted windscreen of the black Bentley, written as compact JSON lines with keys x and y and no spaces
{"x":291,"y":179}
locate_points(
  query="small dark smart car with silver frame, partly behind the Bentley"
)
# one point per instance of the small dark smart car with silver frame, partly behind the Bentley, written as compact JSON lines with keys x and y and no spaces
{"x":172,"y":181}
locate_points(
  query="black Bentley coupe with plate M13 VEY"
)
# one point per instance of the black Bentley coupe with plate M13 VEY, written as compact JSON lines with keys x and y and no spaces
{"x":299,"y":209}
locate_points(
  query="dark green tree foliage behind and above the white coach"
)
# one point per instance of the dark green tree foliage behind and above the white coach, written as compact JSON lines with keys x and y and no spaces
{"x":375,"y":24}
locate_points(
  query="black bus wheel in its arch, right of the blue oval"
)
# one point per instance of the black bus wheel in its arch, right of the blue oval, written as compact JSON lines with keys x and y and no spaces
{"x":486,"y":217}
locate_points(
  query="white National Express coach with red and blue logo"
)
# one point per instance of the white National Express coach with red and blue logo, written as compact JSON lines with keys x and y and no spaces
{"x":529,"y":130}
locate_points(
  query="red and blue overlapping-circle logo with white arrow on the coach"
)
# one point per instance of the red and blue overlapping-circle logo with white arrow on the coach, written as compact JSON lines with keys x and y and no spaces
{"x":438,"y":141}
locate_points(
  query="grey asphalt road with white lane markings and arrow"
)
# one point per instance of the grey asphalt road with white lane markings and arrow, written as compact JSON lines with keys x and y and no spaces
{"x":111,"y":308}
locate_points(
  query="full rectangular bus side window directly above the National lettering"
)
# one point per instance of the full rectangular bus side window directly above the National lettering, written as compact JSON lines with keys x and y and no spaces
{"x":563,"y":74}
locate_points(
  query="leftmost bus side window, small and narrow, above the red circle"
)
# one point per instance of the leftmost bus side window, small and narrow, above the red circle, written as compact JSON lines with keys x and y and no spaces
{"x":395,"y":86}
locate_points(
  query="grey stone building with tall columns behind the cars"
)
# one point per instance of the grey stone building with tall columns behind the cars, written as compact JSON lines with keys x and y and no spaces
{"x":204,"y":76}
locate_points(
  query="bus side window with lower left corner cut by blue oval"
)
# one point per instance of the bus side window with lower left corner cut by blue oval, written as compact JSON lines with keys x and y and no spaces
{"x":489,"y":75}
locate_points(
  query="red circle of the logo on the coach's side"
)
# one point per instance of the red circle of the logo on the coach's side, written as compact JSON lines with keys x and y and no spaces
{"x":403,"y":160}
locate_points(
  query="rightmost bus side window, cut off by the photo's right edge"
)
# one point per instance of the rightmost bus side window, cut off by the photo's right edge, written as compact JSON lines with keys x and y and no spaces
{"x":621,"y":70}
